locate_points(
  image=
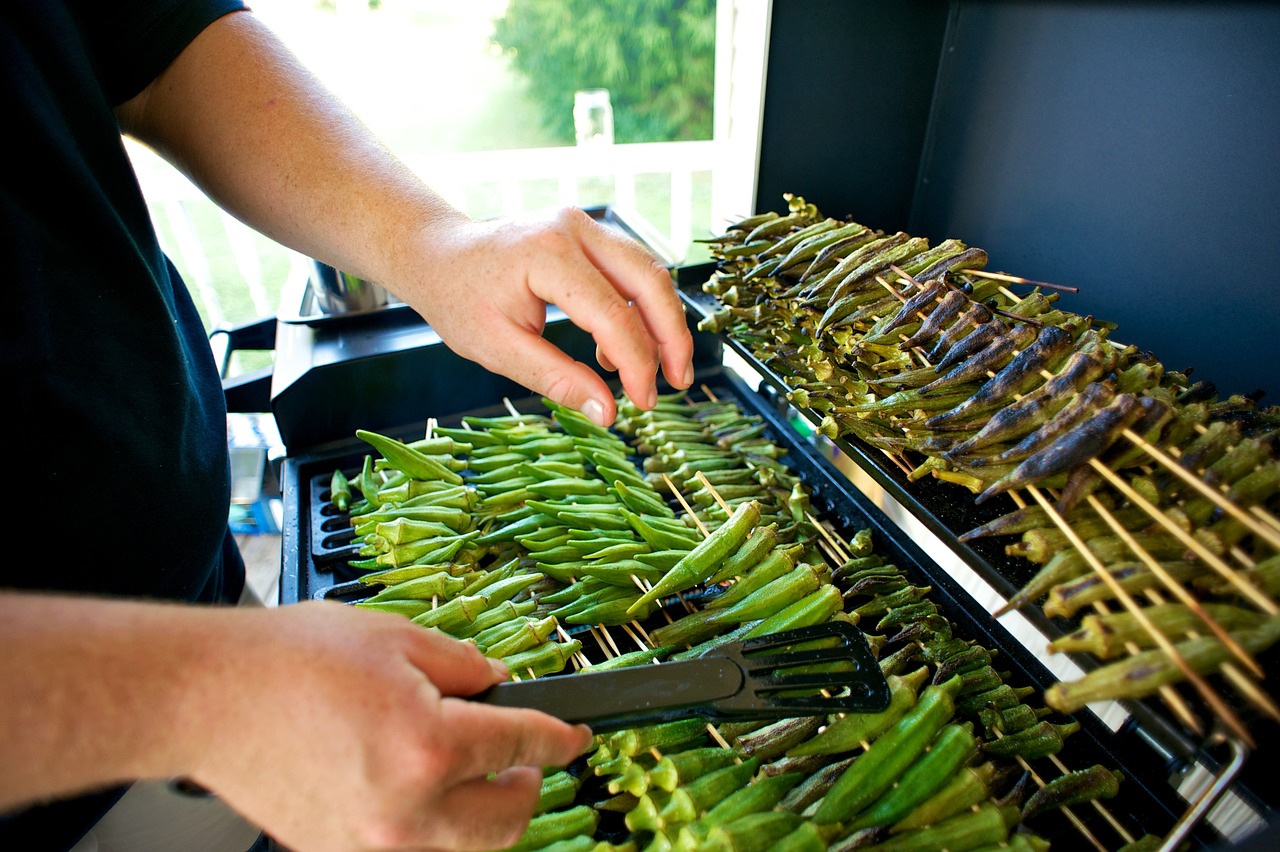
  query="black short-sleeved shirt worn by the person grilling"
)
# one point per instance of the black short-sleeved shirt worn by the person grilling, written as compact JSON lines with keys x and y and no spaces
{"x":115,"y":418}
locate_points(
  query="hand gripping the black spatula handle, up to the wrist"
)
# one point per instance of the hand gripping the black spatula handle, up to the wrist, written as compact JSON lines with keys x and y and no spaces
{"x":353,"y":739}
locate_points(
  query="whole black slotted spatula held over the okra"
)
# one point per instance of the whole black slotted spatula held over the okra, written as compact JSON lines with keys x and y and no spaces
{"x":760,"y":679}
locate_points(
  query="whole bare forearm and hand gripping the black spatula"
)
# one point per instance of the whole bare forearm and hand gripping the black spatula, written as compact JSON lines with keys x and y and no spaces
{"x":292,"y":716}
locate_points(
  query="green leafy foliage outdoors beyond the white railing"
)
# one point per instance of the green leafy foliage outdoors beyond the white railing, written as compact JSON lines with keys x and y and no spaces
{"x":656,"y":57}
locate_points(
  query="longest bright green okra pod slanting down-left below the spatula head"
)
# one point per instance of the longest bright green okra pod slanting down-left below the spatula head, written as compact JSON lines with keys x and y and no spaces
{"x":889,"y":757}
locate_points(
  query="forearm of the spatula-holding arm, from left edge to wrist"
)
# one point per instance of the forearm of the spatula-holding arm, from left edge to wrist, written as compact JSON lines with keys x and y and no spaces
{"x":95,"y":693}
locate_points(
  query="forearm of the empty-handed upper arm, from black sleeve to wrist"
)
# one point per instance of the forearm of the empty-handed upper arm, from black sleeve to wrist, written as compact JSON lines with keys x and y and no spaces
{"x":268,"y":141}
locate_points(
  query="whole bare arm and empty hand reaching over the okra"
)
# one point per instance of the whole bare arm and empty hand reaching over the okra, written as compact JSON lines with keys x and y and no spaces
{"x":264,"y":139}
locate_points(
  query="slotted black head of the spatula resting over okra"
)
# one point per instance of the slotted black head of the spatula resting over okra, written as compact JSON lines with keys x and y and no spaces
{"x":829,"y":668}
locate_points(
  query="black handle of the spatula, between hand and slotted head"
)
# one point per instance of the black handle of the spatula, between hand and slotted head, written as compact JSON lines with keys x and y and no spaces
{"x":627,"y":698}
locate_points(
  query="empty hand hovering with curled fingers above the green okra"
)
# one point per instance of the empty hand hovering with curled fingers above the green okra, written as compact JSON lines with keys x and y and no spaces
{"x":484,"y":287}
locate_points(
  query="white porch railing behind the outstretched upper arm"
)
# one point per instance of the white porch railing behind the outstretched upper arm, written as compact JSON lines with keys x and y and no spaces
{"x":195,"y":233}
